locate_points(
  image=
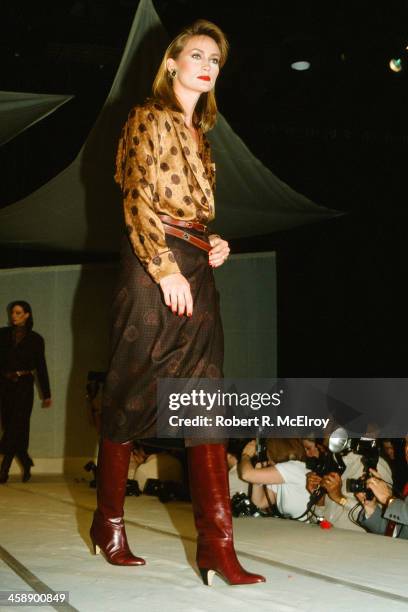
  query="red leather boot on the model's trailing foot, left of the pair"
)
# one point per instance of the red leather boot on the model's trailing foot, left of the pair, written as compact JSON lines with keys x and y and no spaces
{"x":108,"y":533}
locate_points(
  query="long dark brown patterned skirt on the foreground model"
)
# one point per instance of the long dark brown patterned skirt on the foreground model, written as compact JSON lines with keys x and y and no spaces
{"x":149,"y":342}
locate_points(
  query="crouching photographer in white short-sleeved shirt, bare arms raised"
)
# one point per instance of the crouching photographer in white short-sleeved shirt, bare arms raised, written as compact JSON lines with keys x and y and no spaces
{"x":284,"y":476}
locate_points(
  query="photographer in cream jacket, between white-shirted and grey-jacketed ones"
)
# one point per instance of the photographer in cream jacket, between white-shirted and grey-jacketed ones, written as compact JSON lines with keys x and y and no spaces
{"x":337,"y":504}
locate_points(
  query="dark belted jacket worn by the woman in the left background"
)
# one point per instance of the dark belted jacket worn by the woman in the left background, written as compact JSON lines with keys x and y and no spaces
{"x":28,"y":354}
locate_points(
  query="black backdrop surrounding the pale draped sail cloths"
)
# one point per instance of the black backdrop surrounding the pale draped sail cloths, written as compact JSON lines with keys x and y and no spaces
{"x":337,"y":133}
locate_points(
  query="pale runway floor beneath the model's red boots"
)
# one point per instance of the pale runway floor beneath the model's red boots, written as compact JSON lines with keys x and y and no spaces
{"x":44,"y":546}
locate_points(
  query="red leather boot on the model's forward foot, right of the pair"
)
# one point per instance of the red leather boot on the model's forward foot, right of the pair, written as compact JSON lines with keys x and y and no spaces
{"x":209,"y":489}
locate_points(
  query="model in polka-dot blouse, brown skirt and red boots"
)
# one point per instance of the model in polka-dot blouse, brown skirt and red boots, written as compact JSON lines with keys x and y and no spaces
{"x":166,"y":311}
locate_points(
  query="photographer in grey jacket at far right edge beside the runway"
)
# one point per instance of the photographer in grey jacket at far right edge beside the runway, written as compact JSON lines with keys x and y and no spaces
{"x":391,"y":516}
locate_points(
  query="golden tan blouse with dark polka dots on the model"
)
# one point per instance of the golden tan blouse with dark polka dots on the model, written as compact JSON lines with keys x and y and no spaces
{"x":162,"y":170}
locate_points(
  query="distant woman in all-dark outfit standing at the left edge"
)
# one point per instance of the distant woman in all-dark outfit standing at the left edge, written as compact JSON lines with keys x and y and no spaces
{"x":21,"y":352}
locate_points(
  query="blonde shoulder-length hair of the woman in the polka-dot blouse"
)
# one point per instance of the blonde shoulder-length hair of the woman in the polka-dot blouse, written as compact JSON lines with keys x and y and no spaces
{"x":163,"y":92}
